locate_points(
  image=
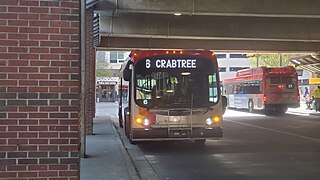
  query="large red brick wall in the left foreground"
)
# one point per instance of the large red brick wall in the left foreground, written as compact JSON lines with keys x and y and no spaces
{"x":39,"y":89}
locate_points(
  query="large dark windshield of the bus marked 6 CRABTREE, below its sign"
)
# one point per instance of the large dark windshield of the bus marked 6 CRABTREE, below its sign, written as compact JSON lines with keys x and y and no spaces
{"x":176,"y":88}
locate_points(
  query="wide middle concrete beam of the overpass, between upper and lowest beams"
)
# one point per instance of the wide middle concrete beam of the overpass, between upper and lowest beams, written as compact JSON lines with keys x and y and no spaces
{"x":209,"y":27}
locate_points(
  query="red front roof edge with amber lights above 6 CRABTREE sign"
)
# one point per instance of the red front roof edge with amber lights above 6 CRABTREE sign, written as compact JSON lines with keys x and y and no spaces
{"x":139,"y":54}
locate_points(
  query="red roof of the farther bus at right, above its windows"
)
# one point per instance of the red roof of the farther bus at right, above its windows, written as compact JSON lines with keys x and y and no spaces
{"x":254,"y":73}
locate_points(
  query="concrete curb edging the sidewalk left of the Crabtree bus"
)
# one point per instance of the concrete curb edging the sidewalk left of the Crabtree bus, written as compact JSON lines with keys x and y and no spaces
{"x":131,"y":168}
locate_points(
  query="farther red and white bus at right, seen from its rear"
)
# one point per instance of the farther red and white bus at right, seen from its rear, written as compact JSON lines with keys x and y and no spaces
{"x":262,"y":88}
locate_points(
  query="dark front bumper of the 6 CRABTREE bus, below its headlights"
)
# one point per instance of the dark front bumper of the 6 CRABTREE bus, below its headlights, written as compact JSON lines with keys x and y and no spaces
{"x":176,"y":134}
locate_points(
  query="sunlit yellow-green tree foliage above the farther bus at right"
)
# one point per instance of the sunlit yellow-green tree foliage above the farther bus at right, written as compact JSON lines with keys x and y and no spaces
{"x":270,"y":60}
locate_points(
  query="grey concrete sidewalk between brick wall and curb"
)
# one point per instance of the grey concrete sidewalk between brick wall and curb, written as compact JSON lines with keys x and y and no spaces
{"x":106,"y":157}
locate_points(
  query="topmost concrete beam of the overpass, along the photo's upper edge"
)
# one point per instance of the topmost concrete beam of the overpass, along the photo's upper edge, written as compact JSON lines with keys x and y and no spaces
{"x":254,"y":8}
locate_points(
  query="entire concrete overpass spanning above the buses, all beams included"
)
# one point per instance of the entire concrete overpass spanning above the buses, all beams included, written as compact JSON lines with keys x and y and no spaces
{"x":247,"y":25}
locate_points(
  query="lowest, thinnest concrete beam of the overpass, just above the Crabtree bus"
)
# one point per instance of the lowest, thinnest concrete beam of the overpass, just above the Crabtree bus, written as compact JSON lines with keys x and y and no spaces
{"x":130,"y":43}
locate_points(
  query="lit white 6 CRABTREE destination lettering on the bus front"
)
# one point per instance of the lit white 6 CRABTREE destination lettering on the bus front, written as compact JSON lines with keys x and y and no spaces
{"x":171,"y":63}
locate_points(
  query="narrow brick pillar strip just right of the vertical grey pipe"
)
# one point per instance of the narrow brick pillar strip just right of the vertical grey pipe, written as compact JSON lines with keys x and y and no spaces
{"x":90,"y":73}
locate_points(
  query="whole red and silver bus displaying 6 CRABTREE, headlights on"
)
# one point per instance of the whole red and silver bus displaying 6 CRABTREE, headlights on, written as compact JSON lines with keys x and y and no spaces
{"x":173,"y":95}
